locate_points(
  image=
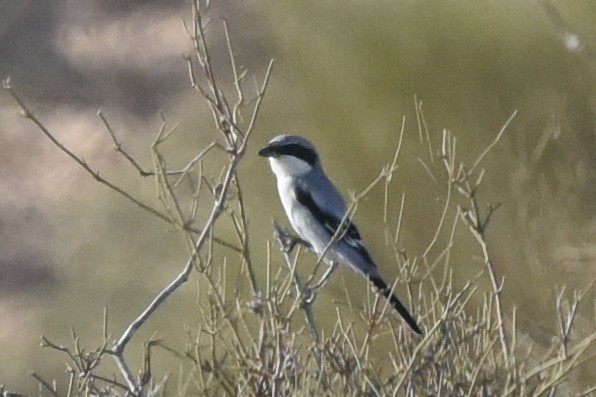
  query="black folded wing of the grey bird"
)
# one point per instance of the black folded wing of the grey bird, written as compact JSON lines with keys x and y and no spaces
{"x":349,"y":233}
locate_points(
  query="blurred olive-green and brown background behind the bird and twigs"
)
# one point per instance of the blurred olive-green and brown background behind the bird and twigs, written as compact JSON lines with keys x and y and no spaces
{"x":346,"y":75}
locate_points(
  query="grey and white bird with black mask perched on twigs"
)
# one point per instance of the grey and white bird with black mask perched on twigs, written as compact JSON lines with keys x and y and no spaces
{"x":316,"y":210}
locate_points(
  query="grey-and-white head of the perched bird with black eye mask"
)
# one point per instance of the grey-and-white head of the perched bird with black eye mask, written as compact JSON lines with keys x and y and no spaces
{"x":290,"y":155}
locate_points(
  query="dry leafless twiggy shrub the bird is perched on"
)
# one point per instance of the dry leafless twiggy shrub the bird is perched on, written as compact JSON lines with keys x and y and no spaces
{"x":258,"y":343}
